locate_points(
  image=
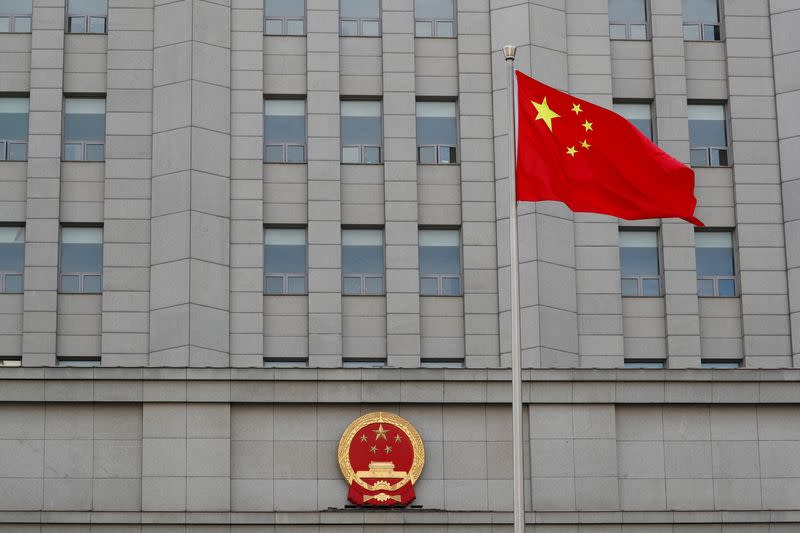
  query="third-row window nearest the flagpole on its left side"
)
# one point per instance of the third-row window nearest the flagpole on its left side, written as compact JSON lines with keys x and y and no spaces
{"x":439,"y":262}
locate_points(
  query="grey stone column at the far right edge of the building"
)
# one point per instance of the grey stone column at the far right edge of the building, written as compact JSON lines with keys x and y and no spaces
{"x":785,"y":58}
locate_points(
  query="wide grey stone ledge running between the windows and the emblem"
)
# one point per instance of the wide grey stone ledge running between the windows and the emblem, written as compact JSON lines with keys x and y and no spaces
{"x":393,"y":386}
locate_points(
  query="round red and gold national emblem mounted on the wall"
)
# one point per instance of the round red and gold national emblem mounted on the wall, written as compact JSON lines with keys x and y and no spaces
{"x":381,"y":476}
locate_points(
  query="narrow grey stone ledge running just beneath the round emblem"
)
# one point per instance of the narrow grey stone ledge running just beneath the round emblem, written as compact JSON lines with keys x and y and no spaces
{"x":398,"y":516}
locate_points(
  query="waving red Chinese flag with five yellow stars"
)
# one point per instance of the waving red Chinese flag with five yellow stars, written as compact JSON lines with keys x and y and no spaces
{"x":594,"y":160}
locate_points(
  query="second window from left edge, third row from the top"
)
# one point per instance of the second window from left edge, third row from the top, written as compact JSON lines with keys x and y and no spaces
{"x":81,"y":265}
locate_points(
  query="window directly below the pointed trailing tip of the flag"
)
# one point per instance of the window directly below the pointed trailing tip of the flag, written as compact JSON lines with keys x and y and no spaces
{"x":715,"y":271}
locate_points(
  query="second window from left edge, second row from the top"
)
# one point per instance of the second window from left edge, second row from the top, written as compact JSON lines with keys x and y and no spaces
{"x":84,"y":129}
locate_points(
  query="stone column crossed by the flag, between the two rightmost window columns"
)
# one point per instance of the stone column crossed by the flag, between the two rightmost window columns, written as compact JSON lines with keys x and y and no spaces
{"x":672,"y":130}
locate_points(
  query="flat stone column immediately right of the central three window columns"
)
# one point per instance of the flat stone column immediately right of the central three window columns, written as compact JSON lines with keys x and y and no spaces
{"x":478,"y":215}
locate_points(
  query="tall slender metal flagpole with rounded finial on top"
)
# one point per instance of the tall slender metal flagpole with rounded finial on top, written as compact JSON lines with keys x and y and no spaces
{"x":510,"y":52}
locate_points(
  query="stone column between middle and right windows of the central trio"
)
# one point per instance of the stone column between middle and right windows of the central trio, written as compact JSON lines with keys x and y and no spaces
{"x":400,"y":171}
